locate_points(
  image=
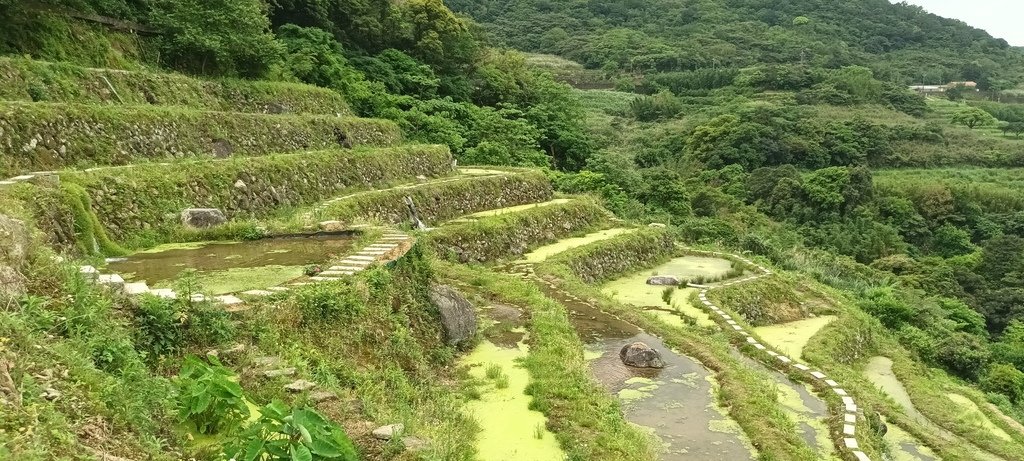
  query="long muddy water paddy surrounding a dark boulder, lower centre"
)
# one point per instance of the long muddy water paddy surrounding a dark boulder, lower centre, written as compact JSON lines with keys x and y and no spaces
{"x":677,"y":403}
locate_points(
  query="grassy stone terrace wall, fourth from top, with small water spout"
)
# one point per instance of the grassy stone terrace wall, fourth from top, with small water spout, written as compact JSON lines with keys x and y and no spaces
{"x":444,"y":200}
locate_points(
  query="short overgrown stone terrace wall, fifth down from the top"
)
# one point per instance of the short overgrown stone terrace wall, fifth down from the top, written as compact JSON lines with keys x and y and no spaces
{"x":515,"y":234}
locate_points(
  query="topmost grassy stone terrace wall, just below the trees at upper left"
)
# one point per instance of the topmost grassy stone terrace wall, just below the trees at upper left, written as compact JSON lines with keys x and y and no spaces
{"x":28,"y":80}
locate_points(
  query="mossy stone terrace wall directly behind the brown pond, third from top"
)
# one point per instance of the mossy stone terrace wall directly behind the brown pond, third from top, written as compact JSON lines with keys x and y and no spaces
{"x":141,"y":206}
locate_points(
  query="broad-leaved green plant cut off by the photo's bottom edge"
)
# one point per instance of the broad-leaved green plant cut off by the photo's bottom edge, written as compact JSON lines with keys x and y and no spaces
{"x":293,"y":435}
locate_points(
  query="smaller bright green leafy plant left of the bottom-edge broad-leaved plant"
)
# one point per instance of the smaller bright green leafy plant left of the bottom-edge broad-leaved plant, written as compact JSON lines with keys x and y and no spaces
{"x":209,"y":398}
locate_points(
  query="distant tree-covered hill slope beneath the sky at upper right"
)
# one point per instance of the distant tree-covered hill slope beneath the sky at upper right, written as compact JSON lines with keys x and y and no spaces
{"x":901,"y":44}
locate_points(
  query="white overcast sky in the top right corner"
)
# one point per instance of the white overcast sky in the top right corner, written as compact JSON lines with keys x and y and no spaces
{"x":1002,"y":19}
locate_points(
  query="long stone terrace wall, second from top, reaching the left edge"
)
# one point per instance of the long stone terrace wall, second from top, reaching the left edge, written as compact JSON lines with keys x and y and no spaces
{"x":39,"y":137}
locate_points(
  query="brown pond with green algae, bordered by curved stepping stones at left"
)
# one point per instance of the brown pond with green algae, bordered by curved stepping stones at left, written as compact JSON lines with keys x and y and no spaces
{"x":234,"y":266}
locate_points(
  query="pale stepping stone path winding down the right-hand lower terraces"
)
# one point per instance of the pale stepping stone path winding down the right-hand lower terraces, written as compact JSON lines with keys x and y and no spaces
{"x":849,"y":405}
